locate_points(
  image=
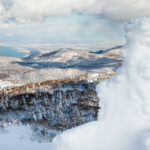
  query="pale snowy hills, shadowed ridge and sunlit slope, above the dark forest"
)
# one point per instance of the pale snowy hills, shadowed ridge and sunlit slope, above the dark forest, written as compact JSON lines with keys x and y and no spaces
{"x":57,"y":65}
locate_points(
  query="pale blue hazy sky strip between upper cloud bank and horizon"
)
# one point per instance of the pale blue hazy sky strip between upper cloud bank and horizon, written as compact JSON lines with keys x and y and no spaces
{"x":66,"y":28}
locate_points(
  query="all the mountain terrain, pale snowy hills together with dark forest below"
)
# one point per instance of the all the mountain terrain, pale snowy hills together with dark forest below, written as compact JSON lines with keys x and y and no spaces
{"x":53,"y":98}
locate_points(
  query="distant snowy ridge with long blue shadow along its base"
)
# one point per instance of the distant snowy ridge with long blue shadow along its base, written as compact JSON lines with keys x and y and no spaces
{"x":73,"y":59}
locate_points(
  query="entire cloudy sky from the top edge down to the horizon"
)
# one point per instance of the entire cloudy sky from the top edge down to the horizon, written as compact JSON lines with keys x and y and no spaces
{"x":47,"y":20}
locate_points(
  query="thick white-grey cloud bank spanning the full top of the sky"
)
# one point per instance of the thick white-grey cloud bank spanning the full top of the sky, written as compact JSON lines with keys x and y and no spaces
{"x":24,"y":11}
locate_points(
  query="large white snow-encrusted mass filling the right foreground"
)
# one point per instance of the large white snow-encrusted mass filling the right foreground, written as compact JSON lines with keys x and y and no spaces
{"x":124,"y":120}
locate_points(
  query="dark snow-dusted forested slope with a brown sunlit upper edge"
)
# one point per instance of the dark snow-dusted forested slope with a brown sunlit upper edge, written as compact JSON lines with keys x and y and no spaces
{"x":50,"y":107}
